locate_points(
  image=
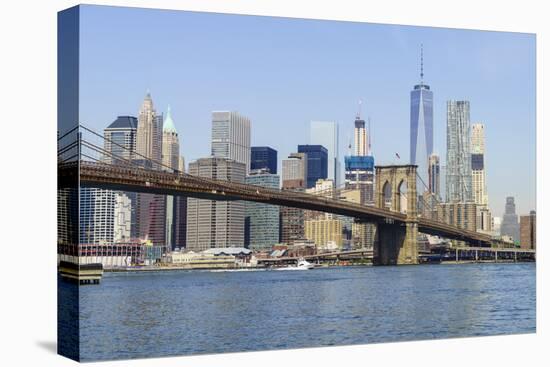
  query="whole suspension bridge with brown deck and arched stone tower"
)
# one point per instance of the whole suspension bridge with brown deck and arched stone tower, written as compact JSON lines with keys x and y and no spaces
{"x":397,"y":227}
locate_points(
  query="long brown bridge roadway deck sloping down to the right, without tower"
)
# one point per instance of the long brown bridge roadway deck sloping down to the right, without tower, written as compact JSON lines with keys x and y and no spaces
{"x":100,"y":175}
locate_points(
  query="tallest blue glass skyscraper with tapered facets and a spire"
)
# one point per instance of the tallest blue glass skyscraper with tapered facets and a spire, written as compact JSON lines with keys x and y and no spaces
{"x":421,"y":127}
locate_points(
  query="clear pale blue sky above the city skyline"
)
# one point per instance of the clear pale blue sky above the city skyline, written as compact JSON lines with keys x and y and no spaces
{"x":282,"y":73}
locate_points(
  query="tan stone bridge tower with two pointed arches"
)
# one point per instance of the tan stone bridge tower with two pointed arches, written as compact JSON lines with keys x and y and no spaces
{"x":396,"y":243}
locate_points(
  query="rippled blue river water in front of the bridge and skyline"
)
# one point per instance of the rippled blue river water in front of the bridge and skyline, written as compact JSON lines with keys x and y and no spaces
{"x":133,"y":315}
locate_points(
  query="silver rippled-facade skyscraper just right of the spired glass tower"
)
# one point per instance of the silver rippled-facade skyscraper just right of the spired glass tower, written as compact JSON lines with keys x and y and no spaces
{"x":459,"y":164}
